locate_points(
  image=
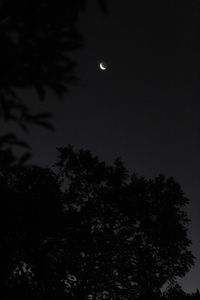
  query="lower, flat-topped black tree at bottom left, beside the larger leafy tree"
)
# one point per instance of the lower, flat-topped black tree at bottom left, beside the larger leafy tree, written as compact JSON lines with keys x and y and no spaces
{"x":30,"y":212}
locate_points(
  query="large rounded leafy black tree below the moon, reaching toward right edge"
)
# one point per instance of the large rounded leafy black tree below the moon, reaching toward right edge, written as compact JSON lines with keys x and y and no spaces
{"x":137,"y":228}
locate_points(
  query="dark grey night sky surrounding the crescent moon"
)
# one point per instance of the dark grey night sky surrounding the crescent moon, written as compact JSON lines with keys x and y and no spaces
{"x":145,"y":107}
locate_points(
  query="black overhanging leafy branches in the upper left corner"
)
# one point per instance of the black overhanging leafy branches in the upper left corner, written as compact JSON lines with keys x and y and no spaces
{"x":37,"y":39}
